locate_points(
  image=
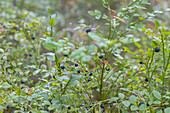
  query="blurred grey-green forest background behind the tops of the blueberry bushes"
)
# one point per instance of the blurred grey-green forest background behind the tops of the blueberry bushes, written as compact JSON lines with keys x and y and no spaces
{"x":69,"y":12}
